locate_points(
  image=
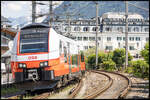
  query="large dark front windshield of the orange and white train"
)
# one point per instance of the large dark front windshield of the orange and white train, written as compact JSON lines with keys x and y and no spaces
{"x":33,"y":41}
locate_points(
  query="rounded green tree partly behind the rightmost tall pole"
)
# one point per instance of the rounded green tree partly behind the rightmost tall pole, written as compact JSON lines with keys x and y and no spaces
{"x":119,"y":57}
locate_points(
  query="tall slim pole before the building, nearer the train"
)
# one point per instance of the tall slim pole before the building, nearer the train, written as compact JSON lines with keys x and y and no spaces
{"x":96,"y":33}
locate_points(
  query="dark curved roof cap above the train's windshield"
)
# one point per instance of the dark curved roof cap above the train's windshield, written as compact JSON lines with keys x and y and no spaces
{"x":35,"y":25}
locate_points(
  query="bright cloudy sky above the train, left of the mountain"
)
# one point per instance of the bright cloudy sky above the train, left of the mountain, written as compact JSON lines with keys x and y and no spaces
{"x":16,"y":9}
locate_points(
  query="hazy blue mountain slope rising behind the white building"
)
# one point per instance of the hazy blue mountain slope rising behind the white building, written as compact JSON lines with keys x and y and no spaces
{"x":87,"y":8}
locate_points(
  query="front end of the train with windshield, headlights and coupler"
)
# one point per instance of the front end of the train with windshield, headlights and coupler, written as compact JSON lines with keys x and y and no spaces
{"x":30,"y":54}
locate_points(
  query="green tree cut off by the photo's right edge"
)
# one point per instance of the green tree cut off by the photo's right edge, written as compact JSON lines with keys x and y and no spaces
{"x":145,"y":52}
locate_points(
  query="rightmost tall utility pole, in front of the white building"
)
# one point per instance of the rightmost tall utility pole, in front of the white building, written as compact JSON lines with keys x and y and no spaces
{"x":126,"y":34}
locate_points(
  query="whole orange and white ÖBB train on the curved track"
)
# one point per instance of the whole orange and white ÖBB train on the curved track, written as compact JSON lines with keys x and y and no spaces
{"x":40,"y":54}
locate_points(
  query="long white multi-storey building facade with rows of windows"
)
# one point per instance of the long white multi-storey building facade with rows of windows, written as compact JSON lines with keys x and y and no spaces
{"x":111,"y":34}
